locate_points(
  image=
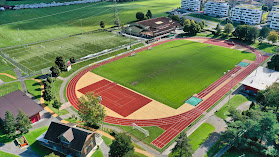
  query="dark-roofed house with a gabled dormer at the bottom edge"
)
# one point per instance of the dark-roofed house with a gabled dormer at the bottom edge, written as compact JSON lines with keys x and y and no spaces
{"x":68,"y":140}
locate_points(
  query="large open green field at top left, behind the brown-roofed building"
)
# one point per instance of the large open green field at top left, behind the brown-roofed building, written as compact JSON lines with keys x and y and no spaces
{"x":48,"y":23}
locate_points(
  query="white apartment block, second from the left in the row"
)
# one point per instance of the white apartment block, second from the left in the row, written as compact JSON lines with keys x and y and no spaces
{"x":217,"y":9}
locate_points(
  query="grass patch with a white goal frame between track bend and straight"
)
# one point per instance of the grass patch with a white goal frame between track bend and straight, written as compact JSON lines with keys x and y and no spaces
{"x":154,"y":132}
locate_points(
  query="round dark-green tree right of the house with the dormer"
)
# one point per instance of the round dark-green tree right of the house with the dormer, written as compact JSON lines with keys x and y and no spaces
{"x":121,"y":145}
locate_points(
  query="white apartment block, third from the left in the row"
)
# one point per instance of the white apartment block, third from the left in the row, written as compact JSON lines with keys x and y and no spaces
{"x":247,"y":14}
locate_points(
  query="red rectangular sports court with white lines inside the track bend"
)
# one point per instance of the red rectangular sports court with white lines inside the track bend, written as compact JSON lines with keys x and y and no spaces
{"x":117,"y":98}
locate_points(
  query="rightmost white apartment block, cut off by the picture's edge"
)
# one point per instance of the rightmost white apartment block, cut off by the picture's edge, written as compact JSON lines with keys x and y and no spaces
{"x":273,"y":18}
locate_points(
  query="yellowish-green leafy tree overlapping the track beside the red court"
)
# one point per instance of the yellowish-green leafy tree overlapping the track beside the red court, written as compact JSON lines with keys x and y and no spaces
{"x":90,"y":109}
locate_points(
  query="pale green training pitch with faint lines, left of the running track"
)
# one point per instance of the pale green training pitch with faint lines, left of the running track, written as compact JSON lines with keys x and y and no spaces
{"x":38,"y":56}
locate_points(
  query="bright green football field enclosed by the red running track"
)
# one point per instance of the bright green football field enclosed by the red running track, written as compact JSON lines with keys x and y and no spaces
{"x":172,"y":72}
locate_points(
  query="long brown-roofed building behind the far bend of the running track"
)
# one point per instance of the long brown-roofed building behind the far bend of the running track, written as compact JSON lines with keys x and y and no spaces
{"x":151,"y":28}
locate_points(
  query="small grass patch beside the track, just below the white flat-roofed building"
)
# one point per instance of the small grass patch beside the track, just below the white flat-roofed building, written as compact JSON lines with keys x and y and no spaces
{"x":234,"y":102}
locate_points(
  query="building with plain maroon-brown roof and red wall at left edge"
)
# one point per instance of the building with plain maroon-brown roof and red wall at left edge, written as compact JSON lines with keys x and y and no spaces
{"x":16,"y":101}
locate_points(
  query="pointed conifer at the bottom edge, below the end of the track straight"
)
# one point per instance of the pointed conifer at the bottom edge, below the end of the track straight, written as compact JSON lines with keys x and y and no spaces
{"x":182,"y":147}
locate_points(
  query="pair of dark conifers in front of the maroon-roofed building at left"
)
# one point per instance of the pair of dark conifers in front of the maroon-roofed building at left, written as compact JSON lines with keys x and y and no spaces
{"x":21,"y":123}
